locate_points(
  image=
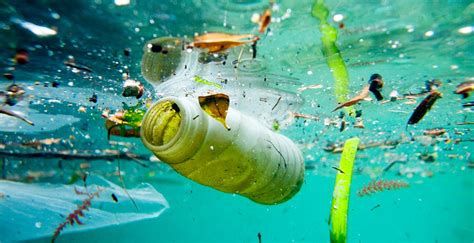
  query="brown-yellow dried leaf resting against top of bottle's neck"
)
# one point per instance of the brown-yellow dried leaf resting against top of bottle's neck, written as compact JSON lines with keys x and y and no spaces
{"x":216,"y":105}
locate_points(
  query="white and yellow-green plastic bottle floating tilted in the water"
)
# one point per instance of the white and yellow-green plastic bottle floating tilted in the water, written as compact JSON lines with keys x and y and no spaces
{"x":249,"y":159}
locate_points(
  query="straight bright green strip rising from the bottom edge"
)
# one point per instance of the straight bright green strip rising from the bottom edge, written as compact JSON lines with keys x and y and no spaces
{"x":340,"y":196}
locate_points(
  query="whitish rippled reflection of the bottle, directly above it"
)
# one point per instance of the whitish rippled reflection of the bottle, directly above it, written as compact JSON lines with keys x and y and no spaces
{"x":249,"y":82}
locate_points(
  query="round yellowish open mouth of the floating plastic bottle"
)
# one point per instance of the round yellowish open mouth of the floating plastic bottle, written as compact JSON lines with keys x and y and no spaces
{"x":162,"y":123}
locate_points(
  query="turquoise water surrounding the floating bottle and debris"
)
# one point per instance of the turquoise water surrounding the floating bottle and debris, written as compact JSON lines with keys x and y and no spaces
{"x":407,"y":43}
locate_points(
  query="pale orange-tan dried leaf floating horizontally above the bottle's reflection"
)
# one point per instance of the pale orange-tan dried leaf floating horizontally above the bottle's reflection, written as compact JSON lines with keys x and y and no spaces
{"x":216,"y":42}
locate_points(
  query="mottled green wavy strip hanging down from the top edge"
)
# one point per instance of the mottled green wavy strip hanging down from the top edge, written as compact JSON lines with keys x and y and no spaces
{"x":332,"y":54}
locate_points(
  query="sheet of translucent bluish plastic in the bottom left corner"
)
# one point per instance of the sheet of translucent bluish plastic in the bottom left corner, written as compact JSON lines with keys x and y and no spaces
{"x":31,"y":211}
